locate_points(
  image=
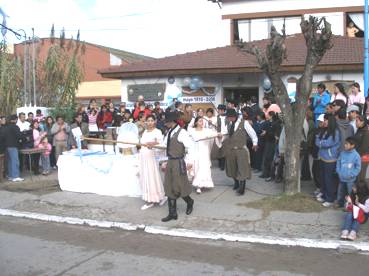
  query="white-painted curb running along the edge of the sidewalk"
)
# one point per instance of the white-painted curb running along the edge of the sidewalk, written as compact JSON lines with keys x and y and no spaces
{"x":195,"y":234}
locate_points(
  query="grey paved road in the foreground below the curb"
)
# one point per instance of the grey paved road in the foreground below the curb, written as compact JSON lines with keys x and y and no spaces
{"x":38,"y":248}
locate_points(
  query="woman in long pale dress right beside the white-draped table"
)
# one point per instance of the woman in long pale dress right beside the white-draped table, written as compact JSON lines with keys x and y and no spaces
{"x":150,"y":180}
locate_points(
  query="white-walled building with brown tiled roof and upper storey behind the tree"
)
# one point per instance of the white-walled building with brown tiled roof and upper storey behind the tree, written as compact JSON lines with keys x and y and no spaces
{"x":210,"y":77}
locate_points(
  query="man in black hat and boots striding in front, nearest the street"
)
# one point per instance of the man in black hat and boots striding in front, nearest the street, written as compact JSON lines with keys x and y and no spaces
{"x":176,"y":182}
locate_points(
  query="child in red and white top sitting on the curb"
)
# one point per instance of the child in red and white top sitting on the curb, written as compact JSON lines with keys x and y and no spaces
{"x":358,"y":207}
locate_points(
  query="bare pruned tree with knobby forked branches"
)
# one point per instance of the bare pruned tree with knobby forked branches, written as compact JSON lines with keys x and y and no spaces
{"x":317,"y":33}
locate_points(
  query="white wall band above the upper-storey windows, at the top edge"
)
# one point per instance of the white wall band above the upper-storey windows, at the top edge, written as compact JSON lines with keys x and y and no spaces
{"x":252,"y":6}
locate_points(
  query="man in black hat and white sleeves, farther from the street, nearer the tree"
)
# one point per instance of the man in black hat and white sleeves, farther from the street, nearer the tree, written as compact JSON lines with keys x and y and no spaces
{"x":237,"y":155}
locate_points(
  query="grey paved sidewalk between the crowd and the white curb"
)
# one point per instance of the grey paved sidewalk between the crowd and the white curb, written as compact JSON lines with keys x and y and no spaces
{"x":216,"y":211}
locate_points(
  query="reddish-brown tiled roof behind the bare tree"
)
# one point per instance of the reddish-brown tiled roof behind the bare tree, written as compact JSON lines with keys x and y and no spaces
{"x":345,"y":51}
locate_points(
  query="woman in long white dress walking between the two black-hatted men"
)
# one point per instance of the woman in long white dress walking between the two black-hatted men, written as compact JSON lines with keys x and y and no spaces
{"x":201,"y":171}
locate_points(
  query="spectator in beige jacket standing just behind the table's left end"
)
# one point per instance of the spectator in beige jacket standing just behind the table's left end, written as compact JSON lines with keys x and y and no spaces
{"x":60,"y":130}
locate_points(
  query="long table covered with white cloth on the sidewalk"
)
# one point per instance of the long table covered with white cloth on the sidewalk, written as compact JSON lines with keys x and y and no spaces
{"x":109,"y":174}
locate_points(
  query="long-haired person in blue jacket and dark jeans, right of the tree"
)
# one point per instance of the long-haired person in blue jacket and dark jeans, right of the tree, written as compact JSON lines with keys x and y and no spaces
{"x":328,"y":143}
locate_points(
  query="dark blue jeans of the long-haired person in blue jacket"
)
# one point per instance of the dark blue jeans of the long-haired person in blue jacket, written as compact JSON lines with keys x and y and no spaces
{"x":327,"y":179}
